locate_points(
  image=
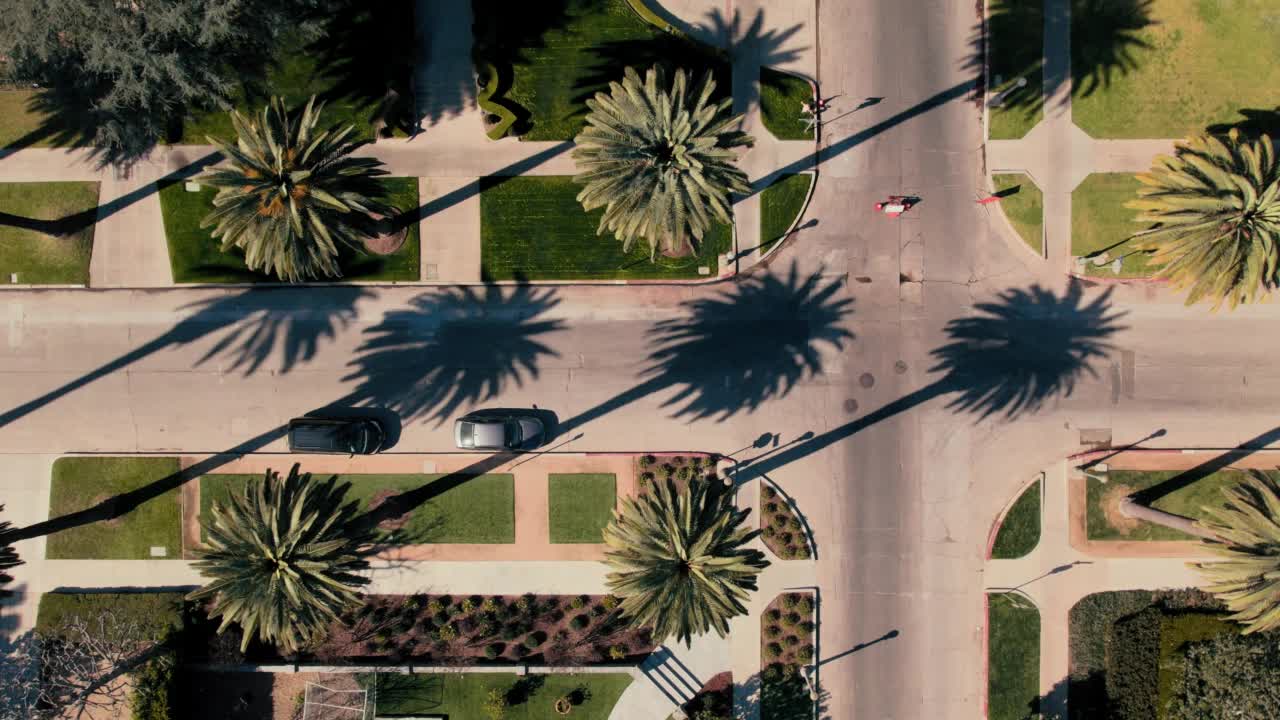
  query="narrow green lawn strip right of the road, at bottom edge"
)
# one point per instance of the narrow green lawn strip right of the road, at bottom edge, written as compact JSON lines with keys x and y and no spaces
{"x":1013,"y":658}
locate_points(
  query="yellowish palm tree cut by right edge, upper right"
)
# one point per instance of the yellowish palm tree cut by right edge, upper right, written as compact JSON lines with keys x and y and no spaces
{"x":1217,"y":207}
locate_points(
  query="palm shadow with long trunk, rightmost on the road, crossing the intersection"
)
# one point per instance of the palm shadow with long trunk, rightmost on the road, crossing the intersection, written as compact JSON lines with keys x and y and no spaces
{"x":1013,"y":357}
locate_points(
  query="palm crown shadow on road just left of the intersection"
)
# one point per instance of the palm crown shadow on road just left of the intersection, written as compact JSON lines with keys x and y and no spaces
{"x":746,"y":347}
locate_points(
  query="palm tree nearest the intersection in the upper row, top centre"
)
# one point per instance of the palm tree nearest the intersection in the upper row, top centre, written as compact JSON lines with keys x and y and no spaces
{"x":662,"y":163}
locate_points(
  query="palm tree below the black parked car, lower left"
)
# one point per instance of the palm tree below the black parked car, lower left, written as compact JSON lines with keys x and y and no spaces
{"x":284,"y":559}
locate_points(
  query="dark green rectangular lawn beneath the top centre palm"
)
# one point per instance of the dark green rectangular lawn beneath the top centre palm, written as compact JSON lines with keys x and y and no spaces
{"x":534,"y":227}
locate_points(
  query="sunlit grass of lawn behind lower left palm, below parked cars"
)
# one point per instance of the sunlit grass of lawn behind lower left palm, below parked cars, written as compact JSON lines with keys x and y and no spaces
{"x":481,"y":511}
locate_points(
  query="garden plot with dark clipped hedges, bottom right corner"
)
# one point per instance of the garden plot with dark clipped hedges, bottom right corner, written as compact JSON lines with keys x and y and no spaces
{"x":1131,"y":653}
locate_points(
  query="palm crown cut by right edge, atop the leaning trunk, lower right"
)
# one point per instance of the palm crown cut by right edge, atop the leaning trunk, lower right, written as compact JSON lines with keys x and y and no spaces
{"x":1249,"y":537}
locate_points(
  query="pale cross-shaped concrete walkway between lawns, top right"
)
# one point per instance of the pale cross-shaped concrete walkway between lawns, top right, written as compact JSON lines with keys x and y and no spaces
{"x":1058,"y":154}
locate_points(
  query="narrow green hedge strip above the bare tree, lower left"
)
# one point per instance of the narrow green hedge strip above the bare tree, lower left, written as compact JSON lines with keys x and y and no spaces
{"x":156,"y":613}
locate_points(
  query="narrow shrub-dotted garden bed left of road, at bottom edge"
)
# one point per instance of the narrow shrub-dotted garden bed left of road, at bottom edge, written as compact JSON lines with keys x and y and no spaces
{"x":788,"y":634}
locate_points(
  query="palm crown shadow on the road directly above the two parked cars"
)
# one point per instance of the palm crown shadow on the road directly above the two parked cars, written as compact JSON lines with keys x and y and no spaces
{"x":454,"y":349}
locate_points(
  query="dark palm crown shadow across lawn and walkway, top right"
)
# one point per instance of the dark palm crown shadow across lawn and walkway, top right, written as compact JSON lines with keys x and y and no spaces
{"x":1107,"y":42}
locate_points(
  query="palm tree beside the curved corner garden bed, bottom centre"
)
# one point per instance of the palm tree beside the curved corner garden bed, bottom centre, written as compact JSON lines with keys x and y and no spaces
{"x":678,"y":559}
